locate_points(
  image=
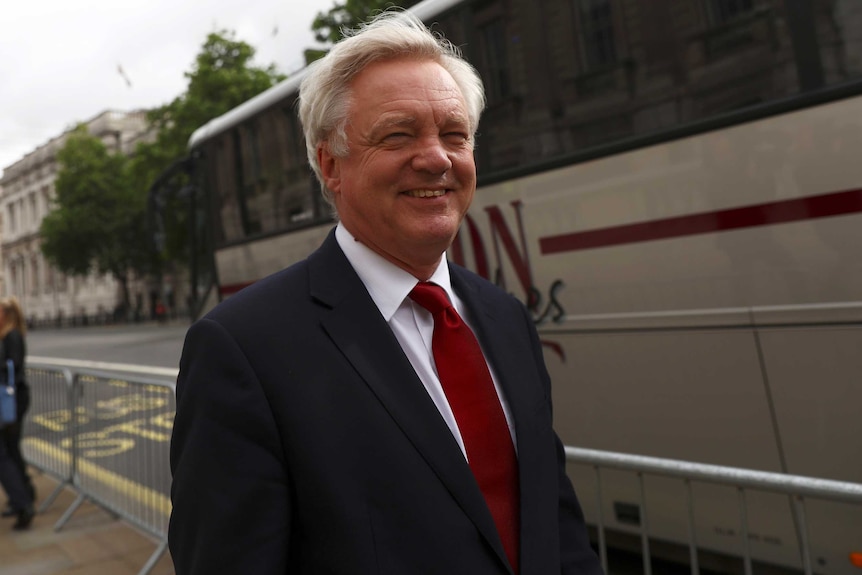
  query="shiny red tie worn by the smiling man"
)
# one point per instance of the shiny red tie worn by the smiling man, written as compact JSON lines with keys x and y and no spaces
{"x":470,"y":391}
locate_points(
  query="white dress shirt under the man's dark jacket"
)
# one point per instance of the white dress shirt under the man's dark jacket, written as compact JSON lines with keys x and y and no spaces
{"x":413,"y":325}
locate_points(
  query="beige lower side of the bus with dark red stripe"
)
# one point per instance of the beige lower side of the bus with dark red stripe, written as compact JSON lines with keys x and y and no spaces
{"x":701,"y":300}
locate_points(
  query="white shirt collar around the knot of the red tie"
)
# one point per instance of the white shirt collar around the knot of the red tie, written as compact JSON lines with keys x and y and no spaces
{"x":387,"y":284}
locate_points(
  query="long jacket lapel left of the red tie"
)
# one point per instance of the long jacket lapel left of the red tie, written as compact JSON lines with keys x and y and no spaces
{"x":356,"y":327}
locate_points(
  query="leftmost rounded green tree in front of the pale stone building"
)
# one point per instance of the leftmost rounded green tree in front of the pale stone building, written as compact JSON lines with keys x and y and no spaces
{"x":96,"y":224}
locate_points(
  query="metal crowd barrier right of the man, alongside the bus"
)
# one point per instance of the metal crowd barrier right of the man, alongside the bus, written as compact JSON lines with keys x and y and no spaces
{"x":798,"y":488}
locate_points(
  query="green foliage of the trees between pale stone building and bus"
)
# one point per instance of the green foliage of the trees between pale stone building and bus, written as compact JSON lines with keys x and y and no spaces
{"x":100,"y":218}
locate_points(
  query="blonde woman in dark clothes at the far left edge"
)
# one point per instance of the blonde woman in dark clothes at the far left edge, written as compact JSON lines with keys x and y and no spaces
{"x":13,"y":470}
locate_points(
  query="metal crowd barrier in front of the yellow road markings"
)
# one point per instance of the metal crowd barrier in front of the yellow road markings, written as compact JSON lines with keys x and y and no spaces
{"x":106,"y":436}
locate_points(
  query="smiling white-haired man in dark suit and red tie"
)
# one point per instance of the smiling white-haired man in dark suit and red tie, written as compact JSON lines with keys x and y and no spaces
{"x":318,"y":428}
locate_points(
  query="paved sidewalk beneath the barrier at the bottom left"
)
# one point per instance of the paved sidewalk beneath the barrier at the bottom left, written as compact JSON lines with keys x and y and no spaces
{"x":92,"y":542}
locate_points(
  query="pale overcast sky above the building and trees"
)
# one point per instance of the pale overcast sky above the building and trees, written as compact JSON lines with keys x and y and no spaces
{"x":59,"y":58}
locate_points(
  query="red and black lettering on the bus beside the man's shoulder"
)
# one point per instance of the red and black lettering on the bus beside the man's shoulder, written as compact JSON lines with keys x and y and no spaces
{"x":543,"y":306}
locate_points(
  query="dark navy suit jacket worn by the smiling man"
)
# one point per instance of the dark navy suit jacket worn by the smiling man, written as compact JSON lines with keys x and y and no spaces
{"x":304,"y":442}
